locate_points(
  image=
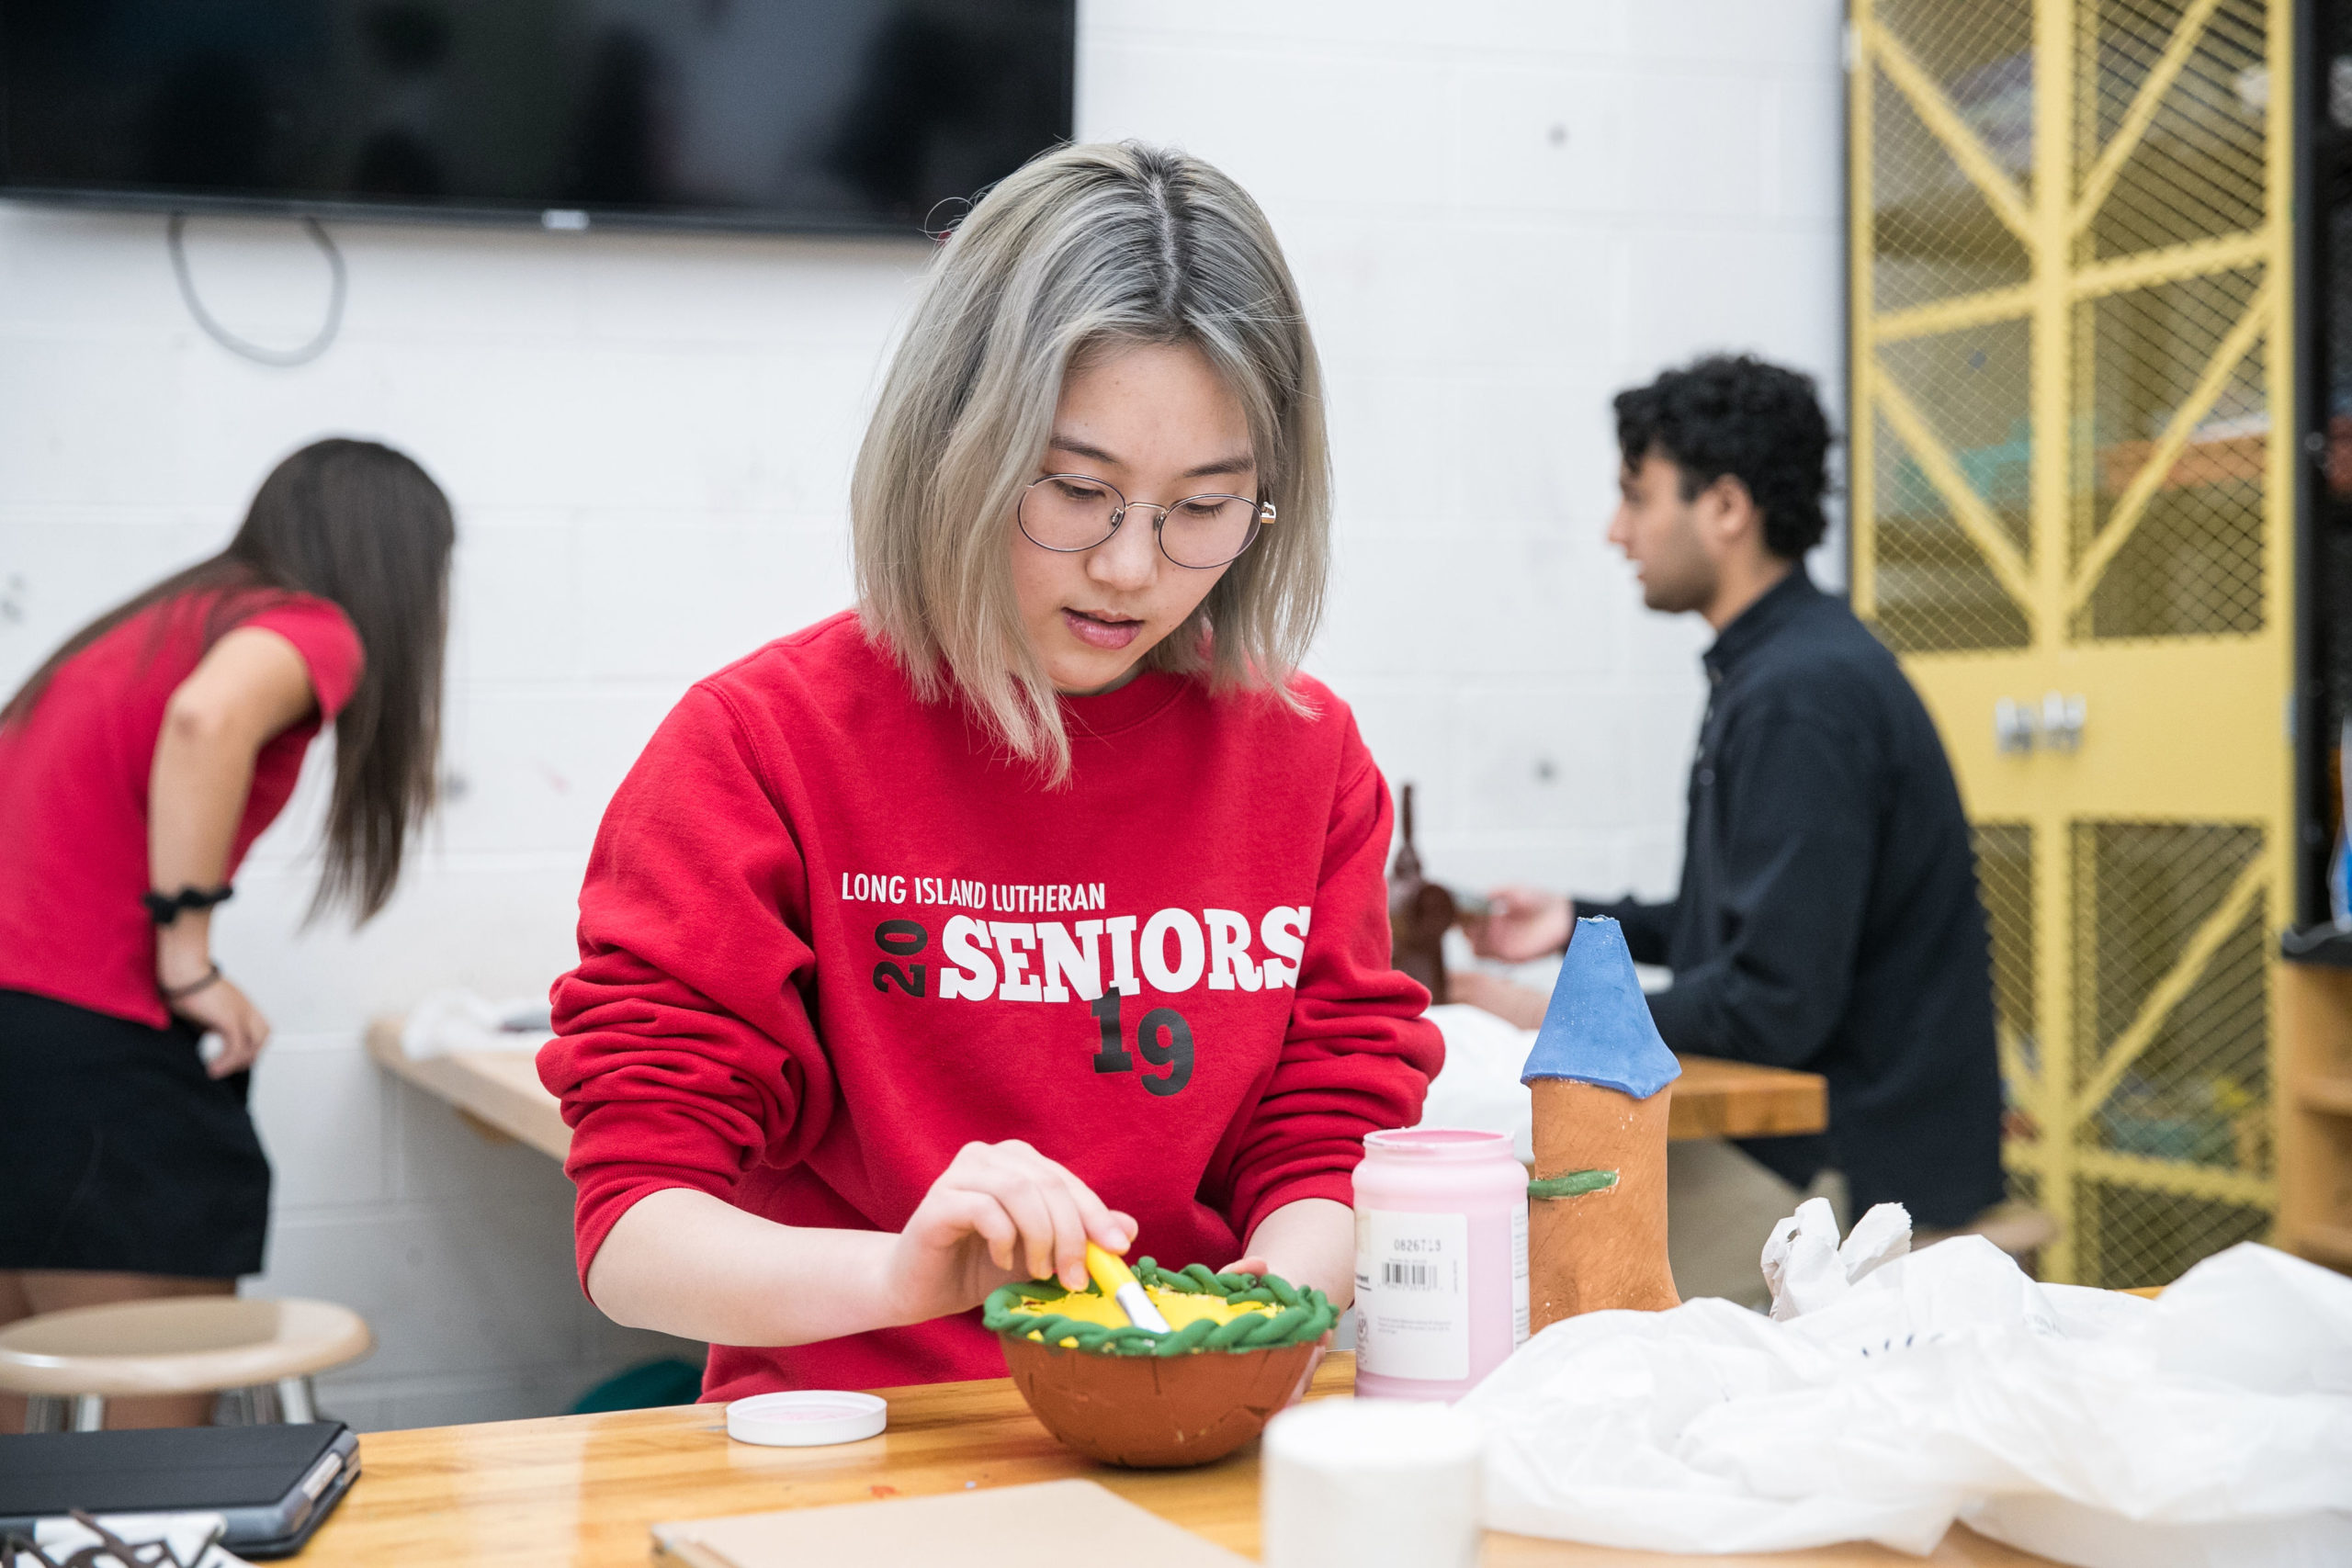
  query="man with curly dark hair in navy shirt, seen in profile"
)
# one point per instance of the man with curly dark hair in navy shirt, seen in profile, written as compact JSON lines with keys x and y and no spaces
{"x":1829,"y":911}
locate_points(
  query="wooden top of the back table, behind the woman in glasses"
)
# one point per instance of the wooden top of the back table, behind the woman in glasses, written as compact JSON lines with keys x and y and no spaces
{"x":500,"y":1092}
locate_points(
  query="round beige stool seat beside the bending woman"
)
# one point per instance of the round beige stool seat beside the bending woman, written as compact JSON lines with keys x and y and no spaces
{"x":178,"y":1346}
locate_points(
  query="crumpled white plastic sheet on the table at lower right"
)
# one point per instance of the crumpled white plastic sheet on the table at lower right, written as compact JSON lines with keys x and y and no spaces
{"x":2212,"y":1426}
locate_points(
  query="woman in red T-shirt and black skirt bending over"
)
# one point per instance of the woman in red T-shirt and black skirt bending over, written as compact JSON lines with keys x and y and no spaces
{"x":138,"y":768}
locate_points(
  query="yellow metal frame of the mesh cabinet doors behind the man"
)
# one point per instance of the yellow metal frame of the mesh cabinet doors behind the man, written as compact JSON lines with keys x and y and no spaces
{"x":2181,"y":730}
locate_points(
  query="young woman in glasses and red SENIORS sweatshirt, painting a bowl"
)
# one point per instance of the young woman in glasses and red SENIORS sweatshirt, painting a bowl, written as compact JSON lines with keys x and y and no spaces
{"x":1038,"y":899}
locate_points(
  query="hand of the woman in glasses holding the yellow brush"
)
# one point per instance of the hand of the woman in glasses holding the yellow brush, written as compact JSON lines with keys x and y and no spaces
{"x":1001,"y":1212}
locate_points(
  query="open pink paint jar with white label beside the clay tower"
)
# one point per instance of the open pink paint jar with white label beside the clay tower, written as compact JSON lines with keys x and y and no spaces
{"x":1441,"y":1261}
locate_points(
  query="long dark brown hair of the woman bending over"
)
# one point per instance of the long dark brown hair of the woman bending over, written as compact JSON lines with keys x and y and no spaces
{"x":368,"y":530}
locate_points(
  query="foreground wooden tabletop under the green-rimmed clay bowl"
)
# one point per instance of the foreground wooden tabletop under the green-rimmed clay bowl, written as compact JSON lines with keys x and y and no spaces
{"x":587,"y":1489}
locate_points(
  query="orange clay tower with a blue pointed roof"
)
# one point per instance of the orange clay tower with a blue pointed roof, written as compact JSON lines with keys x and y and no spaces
{"x":1603,"y":1083}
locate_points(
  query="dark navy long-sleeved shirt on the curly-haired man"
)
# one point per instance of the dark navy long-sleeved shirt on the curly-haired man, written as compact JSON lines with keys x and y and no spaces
{"x":1829,"y":911}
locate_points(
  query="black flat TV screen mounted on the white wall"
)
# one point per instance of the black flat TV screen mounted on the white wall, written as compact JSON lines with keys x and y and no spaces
{"x":751,"y":114}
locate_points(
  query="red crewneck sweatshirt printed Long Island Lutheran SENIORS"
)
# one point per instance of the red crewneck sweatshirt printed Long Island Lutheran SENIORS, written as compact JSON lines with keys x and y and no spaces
{"x":831,"y":934}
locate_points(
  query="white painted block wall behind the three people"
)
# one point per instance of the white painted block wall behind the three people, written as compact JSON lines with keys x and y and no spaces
{"x":1499,"y":215}
